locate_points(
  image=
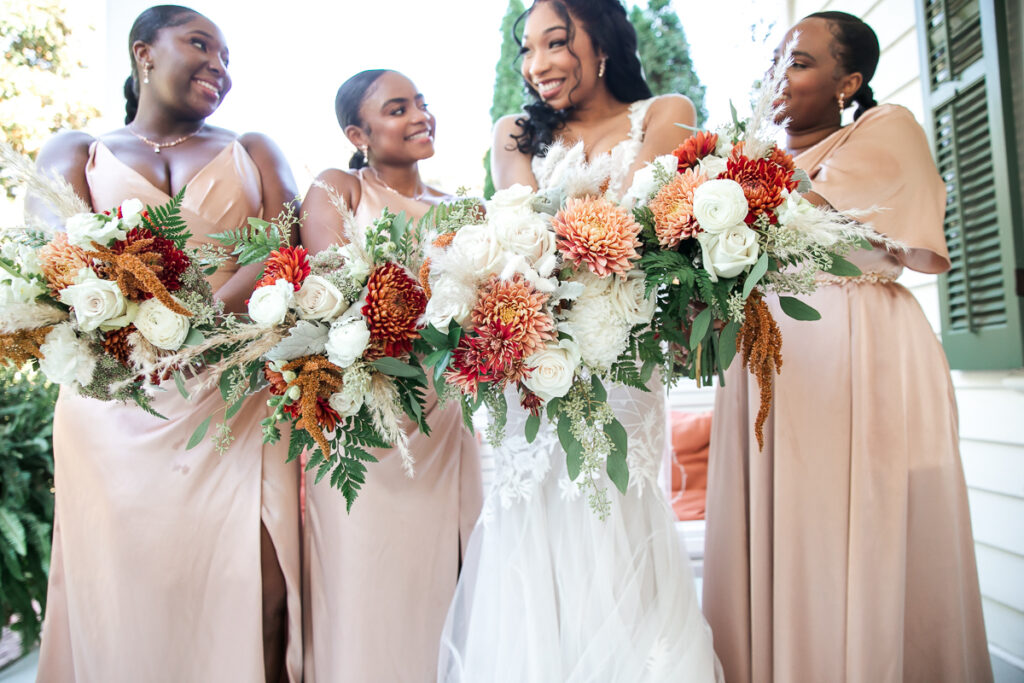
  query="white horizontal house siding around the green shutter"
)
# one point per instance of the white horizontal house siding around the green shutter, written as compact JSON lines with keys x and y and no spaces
{"x":992,"y":405}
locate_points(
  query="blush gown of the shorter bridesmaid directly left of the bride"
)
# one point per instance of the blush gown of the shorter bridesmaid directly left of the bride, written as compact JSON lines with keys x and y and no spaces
{"x":378,"y":580}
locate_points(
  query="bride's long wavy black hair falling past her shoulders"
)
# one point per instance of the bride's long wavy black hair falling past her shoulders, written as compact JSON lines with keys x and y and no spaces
{"x":612,"y":33}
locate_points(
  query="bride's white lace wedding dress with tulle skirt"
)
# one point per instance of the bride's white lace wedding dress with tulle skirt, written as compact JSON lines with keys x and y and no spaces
{"x":549,"y":593}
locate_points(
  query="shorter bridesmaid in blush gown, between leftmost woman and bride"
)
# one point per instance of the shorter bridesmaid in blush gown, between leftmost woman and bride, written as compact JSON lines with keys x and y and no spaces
{"x":378,"y":581}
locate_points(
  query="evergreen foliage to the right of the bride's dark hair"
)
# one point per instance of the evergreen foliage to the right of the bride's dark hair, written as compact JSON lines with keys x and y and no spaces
{"x":665,"y":54}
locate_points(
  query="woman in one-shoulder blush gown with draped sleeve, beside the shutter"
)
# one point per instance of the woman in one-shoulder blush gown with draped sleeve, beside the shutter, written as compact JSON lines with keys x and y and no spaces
{"x":842,"y":552}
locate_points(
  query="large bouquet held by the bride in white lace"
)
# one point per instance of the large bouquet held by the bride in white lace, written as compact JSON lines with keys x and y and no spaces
{"x":542,"y":302}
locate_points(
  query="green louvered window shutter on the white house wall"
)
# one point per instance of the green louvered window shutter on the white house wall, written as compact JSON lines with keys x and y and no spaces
{"x":968,"y":97}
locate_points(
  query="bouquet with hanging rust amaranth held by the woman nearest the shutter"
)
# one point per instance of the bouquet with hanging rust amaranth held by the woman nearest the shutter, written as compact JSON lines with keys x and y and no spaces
{"x":724,"y":223}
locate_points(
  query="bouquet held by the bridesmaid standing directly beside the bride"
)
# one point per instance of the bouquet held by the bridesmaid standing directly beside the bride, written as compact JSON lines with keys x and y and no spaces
{"x":332,"y":335}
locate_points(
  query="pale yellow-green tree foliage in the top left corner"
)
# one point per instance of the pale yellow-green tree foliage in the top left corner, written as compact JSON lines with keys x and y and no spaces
{"x":36,"y":76}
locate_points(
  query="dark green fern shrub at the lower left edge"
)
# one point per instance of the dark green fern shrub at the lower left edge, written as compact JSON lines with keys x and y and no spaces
{"x":26,"y":500}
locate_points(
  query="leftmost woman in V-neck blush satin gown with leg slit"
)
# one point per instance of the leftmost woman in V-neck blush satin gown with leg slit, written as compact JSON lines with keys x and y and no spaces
{"x":169,"y":565}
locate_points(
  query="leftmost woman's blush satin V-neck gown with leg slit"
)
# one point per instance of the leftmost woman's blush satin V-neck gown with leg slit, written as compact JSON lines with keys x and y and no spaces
{"x":156,"y":572}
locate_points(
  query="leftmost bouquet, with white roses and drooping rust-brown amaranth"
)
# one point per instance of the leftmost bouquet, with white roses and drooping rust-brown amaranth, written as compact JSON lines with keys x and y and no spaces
{"x":95,"y":307}
